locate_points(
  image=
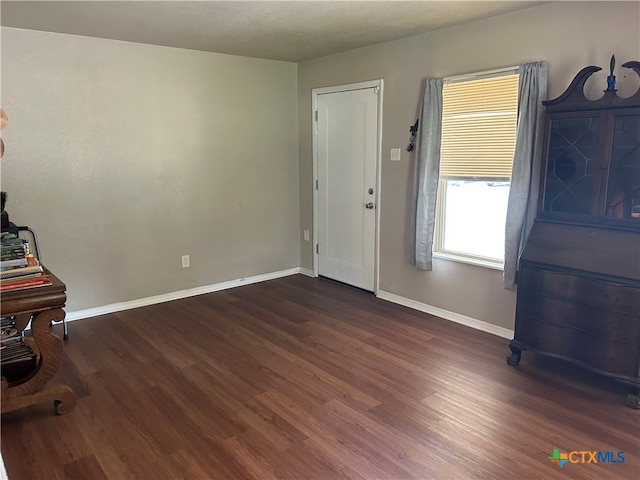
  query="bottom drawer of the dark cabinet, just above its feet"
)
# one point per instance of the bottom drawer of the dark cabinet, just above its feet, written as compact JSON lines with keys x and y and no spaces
{"x":607,"y":356}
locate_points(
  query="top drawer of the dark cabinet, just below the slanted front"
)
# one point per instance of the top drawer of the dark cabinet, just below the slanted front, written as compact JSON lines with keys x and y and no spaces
{"x":590,"y":291}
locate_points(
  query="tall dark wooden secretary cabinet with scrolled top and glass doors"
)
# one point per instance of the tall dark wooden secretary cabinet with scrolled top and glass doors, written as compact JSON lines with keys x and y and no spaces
{"x":578,"y":294}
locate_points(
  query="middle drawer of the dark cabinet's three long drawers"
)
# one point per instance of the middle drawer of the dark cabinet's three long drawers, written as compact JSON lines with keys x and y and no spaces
{"x":620,"y":327}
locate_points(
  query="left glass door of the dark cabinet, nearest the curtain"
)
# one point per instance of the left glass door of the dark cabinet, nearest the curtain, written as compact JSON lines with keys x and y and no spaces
{"x":571,"y":165}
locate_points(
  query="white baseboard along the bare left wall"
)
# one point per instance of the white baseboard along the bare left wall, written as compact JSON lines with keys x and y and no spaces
{"x":167,"y":297}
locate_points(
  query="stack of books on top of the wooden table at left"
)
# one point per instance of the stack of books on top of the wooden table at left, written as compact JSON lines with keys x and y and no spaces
{"x":19,"y":269}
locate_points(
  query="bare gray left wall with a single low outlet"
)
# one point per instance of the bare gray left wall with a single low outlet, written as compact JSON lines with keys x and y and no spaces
{"x":125,"y":156}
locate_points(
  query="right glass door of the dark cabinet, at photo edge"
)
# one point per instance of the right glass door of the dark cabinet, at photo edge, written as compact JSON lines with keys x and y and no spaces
{"x":623,"y":189}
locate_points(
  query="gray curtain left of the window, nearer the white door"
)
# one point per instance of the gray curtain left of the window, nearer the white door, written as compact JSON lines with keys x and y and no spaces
{"x":425,"y":175}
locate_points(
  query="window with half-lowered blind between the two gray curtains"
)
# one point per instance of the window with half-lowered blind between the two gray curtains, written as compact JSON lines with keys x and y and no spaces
{"x":478,"y":140}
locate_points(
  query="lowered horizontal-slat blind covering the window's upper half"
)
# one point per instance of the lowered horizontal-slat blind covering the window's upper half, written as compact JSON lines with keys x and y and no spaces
{"x":479,"y":128}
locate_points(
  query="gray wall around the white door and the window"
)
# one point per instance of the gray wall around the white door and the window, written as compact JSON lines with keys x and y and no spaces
{"x":569,"y":35}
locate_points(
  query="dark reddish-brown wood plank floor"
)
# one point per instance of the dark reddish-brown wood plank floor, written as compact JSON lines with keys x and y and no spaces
{"x":302,"y":378}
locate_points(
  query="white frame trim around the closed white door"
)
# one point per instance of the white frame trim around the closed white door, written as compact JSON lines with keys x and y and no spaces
{"x":314,"y":108}
